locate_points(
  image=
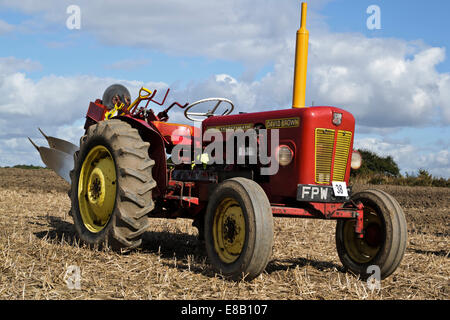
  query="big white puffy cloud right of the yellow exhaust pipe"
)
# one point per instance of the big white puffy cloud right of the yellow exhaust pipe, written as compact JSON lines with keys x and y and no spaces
{"x":384,"y":82}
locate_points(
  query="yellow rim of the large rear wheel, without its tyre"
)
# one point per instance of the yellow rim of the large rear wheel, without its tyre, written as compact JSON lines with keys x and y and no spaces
{"x":97,"y":188}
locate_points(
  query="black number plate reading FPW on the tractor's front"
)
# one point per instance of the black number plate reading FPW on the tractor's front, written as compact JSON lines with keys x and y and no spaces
{"x":315,"y":193}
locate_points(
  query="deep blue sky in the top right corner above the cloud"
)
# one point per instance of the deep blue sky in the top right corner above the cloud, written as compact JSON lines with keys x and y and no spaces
{"x":409,"y":20}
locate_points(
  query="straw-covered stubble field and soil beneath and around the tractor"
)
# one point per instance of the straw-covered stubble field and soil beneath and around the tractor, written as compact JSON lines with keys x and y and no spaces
{"x":39,"y":248}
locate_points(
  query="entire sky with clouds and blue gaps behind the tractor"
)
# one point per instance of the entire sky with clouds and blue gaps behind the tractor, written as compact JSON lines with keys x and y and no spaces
{"x":395,"y":79}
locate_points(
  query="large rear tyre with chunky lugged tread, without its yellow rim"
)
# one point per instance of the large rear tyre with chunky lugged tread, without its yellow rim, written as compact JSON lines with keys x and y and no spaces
{"x":134,"y":185}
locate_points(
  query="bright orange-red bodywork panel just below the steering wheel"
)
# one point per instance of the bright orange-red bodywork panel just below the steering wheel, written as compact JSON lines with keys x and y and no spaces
{"x":176,"y":133}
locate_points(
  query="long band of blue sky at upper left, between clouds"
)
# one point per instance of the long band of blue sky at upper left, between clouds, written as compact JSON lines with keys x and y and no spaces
{"x":69,"y":52}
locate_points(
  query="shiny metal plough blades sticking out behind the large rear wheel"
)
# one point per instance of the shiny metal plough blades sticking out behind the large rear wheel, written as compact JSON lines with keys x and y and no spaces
{"x":59,"y":157}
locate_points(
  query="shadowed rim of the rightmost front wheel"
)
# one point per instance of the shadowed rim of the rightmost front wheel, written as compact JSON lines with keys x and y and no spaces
{"x":364,"y":250}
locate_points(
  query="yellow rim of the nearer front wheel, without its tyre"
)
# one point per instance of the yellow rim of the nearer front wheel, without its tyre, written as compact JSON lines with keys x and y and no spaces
{"x":229,"y":230}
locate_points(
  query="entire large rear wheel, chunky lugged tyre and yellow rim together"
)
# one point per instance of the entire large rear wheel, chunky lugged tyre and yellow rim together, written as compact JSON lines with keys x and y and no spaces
{"x":112,"y":184}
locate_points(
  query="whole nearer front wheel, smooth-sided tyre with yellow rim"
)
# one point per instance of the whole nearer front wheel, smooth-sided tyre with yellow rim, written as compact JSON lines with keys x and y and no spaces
{"x":239,"y":229}
